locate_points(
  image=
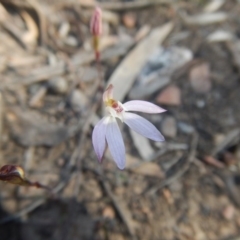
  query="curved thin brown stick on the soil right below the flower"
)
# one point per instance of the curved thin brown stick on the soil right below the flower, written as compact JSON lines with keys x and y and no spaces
{"x":190,"y":159}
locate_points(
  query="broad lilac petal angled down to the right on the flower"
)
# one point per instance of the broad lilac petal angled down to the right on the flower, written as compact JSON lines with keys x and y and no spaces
{"x":142,"y":126}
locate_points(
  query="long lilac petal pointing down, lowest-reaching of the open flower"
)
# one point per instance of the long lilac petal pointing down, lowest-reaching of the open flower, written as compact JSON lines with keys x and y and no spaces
{"x":115,"y":143}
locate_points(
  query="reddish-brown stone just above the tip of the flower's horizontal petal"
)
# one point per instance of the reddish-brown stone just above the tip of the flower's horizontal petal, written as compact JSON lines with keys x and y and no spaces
{"x":171,"y":95}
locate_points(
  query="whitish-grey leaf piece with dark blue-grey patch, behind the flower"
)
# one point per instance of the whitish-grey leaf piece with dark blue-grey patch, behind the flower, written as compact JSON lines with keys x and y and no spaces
{"x":158,"y":70}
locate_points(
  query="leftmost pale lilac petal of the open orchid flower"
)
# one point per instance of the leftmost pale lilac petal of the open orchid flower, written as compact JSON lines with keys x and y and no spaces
{"x":98,"y":137}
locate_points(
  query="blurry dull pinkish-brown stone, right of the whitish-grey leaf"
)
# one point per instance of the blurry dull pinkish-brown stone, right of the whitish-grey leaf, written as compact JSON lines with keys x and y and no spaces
{"x":200,"y":78}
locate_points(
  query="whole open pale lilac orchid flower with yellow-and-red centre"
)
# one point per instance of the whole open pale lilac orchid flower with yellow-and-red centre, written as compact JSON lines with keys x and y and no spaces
{"x":107,"y":128}
